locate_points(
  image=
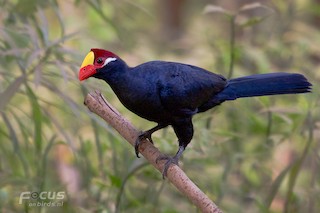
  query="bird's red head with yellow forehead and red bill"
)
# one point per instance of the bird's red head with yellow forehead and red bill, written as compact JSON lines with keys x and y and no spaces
{"x":95,"y":60}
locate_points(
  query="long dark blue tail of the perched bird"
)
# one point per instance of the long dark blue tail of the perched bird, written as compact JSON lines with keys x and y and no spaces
{"x":264,"y":84}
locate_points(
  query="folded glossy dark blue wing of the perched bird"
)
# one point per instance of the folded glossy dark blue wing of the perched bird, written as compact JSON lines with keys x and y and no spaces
{"x":183,"y":88}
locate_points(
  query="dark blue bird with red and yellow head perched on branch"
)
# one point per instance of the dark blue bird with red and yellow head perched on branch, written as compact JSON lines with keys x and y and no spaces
{"x":171,"y":93}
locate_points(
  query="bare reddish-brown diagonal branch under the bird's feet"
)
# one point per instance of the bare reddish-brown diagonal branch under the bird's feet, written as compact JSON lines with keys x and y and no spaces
{"x":98,"y":105}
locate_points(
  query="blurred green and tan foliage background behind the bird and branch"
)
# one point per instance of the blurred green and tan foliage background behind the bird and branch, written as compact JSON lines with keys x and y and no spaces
{"x":250,"y":155}
